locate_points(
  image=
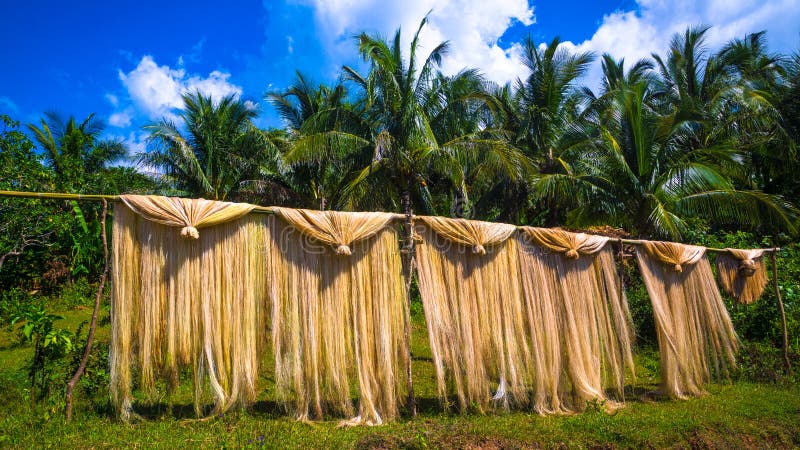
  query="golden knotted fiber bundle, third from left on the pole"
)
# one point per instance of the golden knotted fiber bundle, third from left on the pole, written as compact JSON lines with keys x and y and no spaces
{"x":469,"y":283}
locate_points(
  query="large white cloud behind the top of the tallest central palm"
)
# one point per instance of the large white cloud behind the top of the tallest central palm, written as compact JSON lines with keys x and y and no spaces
{"x":473,"y":28}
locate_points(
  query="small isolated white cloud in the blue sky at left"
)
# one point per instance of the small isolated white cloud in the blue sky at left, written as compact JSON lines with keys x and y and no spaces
{"x":156,"y":90}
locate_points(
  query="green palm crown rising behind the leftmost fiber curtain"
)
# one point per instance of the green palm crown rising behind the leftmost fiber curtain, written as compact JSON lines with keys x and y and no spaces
{"x":218,"y":148}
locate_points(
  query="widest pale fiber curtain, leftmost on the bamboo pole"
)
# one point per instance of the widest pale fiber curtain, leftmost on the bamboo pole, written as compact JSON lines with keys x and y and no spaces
{"x":185,"y":300}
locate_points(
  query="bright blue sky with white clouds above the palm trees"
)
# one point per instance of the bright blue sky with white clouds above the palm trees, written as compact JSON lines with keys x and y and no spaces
{"x":129,"y":62}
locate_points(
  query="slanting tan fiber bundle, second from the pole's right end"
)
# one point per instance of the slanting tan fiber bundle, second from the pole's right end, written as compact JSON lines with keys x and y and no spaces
{"x":695,"y":336}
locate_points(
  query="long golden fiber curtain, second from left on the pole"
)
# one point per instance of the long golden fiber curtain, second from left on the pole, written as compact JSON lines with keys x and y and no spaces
{"x":338,"y":319}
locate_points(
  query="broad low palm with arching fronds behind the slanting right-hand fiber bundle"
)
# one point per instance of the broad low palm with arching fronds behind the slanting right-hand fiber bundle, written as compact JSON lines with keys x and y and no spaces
{"x":649,"y":181}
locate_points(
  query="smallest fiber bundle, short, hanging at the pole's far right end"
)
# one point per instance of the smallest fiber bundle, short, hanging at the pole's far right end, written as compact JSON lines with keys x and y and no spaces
{"x":742,"y":274}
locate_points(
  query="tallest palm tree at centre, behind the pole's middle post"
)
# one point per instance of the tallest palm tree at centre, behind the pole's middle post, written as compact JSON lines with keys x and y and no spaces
{"x":408,"y":142}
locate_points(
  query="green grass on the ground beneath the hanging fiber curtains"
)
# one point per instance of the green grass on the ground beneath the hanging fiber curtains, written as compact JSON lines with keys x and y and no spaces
{"x":734,"y":415}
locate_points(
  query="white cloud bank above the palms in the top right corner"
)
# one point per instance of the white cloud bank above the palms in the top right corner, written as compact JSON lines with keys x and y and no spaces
{"x":635,"y":35}
